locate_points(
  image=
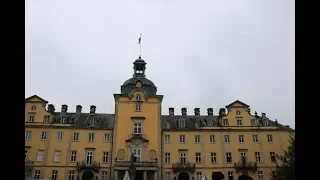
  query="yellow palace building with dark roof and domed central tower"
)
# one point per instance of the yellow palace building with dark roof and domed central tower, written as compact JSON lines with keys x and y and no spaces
{"x":138,"y":139}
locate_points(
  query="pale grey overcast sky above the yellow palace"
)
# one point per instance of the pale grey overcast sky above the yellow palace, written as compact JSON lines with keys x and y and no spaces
{"x":199,"y":53}
